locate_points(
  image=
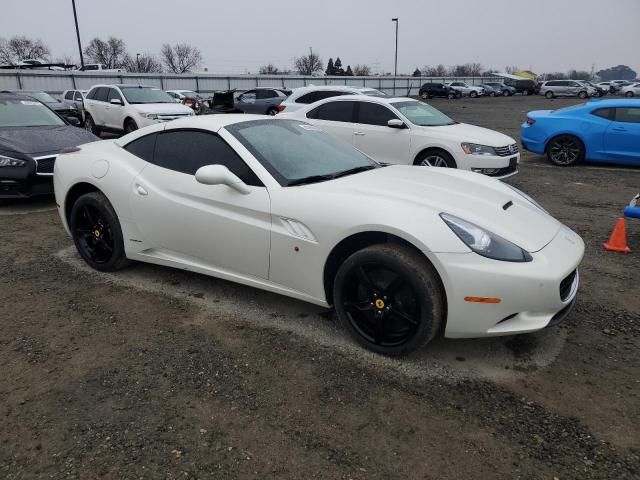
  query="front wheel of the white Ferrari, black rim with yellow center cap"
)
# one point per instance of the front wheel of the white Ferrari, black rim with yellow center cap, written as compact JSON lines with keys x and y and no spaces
{"x":389,"y":298}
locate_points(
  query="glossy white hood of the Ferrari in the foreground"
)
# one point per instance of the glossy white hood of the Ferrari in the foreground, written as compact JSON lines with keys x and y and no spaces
{"x":470,"y":196}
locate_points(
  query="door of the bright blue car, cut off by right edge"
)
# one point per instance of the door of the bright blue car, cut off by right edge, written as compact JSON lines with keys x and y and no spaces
{"x":622,"y":139}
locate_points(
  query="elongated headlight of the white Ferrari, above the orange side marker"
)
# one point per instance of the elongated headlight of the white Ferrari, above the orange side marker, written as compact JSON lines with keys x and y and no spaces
{"x":484,"y":242}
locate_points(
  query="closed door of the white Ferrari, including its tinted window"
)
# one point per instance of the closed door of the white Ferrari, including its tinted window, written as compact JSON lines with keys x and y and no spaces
{"x":212,"y":225}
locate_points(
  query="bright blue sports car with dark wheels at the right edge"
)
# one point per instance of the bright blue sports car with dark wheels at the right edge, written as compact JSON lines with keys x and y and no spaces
{"x":598,"y":131}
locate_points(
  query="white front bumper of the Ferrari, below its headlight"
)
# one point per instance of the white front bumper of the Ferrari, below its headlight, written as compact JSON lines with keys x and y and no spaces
{"x":533,"y":295}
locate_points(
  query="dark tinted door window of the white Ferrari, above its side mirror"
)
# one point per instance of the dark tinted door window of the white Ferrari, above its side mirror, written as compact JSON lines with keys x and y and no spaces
{"x":185,"y":151}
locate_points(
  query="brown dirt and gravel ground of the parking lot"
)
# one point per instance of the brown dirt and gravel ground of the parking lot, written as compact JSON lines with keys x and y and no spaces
{"x":153,"y":373}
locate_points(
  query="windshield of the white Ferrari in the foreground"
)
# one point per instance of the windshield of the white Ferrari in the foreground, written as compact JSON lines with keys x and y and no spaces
{"x":295,"y":152}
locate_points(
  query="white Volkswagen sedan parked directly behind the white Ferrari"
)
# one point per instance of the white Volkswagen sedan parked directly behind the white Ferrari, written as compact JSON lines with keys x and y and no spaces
{"x":409,"y":132}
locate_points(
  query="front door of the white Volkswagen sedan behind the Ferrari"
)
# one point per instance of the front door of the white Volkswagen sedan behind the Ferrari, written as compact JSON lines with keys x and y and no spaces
{"x":374,"y":137}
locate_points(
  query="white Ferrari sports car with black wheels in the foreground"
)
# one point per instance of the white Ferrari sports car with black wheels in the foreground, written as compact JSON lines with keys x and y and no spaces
{"x":403,"y":253}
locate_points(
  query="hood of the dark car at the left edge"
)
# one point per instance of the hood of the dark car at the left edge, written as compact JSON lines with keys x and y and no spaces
{"x":43,"y":140}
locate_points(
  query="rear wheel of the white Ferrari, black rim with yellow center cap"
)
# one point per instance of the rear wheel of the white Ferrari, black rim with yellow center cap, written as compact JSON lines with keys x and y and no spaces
{"x":96,"y":233}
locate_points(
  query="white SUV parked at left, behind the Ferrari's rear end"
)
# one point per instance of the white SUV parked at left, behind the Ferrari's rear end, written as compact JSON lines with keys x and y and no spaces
{"x":125,"y":108}
